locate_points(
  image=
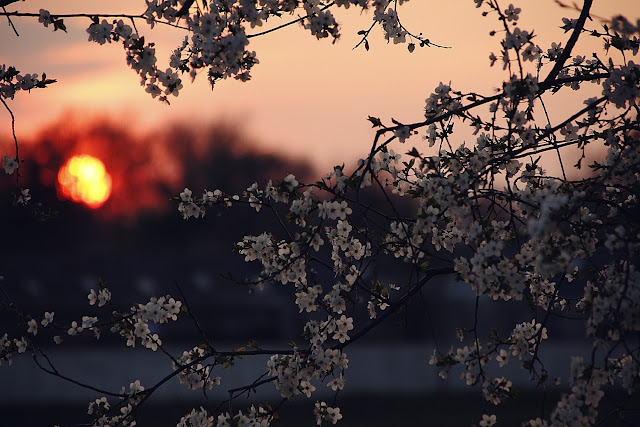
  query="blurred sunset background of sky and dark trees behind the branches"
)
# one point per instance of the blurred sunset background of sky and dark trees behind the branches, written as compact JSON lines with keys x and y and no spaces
{"x":304,"y":111}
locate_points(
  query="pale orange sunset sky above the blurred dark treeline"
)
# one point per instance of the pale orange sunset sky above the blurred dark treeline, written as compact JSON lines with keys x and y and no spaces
{"x":308,"y":99}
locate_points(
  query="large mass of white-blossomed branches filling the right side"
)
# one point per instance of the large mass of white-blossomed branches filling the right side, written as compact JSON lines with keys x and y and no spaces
{"x":526,"y":239}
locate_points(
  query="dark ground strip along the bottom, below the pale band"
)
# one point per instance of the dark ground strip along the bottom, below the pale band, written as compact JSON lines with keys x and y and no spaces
{"x":371,"y":411}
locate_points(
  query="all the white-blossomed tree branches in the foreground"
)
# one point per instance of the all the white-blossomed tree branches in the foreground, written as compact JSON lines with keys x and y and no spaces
{"x":485,"y":212}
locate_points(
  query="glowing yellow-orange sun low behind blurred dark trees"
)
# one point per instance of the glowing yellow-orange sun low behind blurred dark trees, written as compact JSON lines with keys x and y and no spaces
{"x":84,"y":179}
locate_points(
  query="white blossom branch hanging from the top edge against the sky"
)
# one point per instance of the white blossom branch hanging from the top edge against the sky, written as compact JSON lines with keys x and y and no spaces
{"x":218,"y":35}
